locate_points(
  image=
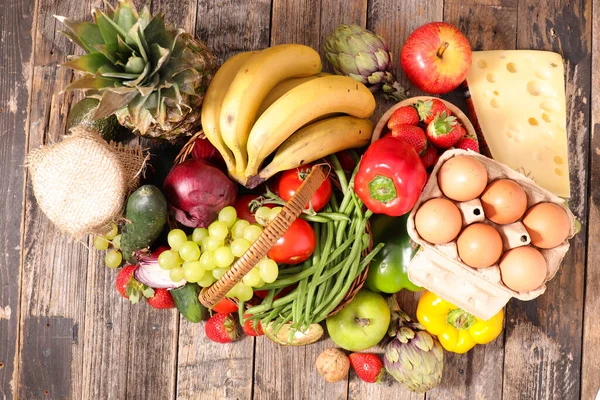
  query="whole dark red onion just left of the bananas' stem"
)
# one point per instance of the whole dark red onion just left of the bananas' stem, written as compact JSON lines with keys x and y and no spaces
{"x":196,"y":191}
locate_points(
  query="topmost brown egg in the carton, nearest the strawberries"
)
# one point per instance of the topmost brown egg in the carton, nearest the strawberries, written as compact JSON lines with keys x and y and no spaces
{"x":462,"y":178}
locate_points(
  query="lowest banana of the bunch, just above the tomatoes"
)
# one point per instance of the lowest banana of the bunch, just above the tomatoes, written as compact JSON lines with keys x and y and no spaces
{"x":315,"y":141}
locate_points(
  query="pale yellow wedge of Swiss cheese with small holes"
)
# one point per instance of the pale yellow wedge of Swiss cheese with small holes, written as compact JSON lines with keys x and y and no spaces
{"x":519,"y":99}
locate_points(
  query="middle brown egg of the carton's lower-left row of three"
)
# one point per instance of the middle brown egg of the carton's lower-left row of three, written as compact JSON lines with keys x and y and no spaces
{"x":479,"y":245}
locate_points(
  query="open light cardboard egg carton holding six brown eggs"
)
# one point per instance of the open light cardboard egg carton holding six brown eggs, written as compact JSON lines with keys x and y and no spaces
{"x":438,"y":268}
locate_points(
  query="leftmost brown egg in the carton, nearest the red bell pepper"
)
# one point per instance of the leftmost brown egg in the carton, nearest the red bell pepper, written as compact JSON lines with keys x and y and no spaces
{"x":438,"y":221}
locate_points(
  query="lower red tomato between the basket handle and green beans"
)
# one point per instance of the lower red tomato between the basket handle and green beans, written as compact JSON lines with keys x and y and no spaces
{"x":296,"y":245}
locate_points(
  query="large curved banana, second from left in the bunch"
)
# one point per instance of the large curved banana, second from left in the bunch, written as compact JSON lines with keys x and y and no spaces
{"x":252,"y":83}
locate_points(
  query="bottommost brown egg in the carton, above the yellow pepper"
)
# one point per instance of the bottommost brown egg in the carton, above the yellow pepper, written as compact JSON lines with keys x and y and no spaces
{"x":523,"y":269}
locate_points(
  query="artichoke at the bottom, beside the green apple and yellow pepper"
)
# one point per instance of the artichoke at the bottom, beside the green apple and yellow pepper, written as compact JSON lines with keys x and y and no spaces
{"x":413,"y":357}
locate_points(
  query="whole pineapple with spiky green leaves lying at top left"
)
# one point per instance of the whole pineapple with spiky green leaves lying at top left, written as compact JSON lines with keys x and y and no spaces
{"x":151,"y":77}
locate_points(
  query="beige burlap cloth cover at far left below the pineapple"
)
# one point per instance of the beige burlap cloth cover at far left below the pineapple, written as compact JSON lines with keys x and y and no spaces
{"x":81,"y":182}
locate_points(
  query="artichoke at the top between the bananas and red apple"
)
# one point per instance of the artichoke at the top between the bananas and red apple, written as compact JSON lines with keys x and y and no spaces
{"x":364,"y":56}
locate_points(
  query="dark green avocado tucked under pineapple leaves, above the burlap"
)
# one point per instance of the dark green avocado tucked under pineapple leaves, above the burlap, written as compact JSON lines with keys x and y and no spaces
{"x":81,"y":114}
